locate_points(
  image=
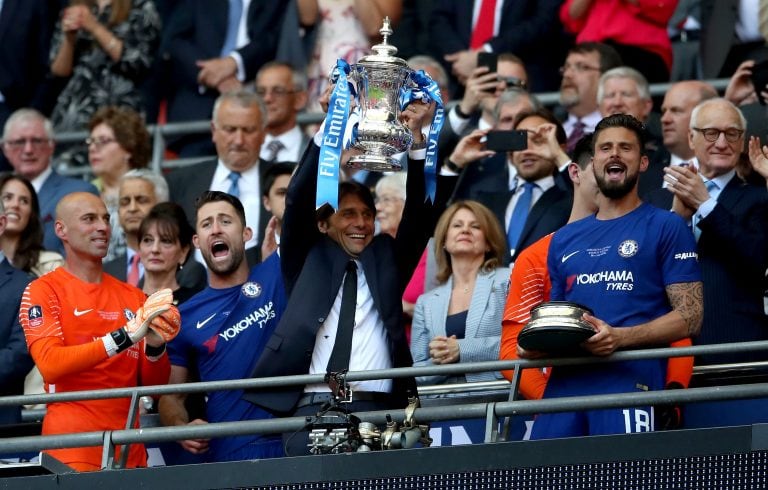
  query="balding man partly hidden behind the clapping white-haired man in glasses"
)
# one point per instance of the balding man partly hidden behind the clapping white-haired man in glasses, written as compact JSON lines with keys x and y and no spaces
{"x":676,"y":109}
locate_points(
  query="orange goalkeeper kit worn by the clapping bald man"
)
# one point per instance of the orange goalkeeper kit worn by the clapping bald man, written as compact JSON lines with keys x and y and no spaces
{"x":64,"y":319}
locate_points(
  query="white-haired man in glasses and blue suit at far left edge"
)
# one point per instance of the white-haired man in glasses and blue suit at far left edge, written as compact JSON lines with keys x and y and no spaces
{"x":28,"y":145}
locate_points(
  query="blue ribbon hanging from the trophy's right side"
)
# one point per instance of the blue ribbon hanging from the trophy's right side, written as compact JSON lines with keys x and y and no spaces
{"x":427,"y":90}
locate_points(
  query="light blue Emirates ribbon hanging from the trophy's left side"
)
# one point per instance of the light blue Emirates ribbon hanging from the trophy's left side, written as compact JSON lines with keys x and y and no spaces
{"x":333,"y":137}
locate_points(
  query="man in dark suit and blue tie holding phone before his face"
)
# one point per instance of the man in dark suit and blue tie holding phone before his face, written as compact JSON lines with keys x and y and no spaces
{"x":536,"y":169}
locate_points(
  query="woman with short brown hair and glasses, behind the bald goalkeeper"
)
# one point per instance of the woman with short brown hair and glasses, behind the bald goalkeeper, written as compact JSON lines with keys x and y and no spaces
{"x":119,"y":141}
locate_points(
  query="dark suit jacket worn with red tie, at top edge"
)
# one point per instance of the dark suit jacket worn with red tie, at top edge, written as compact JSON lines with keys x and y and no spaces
{"x":527,"y":28}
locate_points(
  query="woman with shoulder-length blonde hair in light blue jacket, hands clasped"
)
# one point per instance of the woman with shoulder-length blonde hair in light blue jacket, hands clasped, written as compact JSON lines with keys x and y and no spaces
{"x":460,"y":320}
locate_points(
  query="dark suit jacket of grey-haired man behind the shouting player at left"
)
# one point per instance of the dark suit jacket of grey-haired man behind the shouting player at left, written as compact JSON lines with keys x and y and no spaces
{"x":186,"y":184}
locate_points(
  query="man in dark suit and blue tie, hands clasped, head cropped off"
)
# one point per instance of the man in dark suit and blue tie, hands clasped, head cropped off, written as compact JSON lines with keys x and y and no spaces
{"x":206,"y":57}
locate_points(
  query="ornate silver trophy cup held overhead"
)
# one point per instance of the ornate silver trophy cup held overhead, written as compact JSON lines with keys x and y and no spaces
{"x":380,"y":77}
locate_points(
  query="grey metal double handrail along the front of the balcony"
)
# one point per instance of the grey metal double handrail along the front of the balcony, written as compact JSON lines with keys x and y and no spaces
{"x":490,"y":410}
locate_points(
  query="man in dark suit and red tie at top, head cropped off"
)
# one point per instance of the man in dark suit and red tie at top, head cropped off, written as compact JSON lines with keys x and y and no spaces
{"x":527,"y":28}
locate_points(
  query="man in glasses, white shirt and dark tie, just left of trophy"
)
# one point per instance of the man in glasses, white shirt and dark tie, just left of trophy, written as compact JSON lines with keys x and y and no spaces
{"x":284,"y":92}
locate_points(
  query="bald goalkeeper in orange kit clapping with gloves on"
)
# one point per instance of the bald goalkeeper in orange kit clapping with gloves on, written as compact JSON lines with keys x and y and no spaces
{"x":86,"y":330}
